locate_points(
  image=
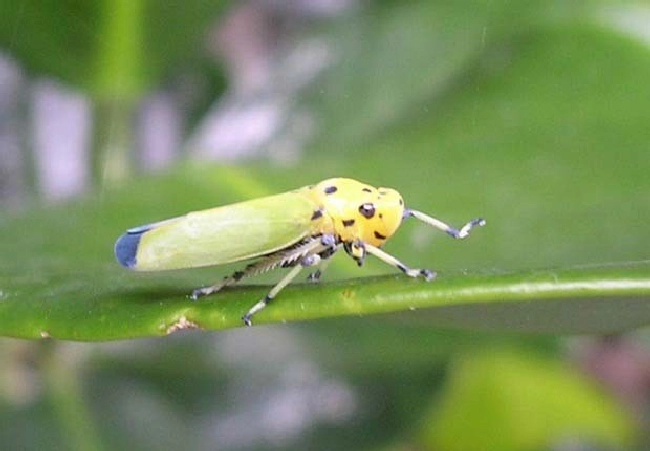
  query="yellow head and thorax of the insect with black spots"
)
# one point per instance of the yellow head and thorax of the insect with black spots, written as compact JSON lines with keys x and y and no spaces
{"x":351,"y":210}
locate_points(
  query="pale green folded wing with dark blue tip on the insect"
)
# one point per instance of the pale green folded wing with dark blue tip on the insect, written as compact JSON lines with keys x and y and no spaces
{"x":219,"y":235}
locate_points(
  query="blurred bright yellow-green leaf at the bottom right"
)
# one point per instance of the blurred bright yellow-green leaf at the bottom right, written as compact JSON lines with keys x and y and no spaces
{"x":507,"y":401}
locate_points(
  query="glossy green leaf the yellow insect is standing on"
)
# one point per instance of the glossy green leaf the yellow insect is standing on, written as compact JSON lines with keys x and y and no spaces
{"x":62,"y":281}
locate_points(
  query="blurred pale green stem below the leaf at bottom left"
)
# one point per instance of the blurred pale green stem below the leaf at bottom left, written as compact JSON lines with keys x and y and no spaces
{"x":60,"y":371}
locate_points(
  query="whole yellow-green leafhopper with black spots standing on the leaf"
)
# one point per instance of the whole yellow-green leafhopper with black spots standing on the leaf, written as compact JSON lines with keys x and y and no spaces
{"x":296,"y":229}
